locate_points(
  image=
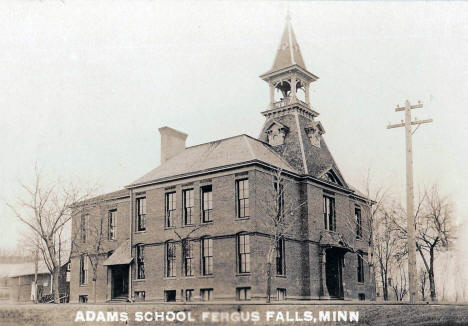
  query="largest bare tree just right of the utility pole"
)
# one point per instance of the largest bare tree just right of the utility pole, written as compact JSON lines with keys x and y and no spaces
{"x":433,"y":230}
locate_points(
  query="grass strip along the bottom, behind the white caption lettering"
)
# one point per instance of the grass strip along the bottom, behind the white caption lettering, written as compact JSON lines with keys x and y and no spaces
{"x":232,"y":313}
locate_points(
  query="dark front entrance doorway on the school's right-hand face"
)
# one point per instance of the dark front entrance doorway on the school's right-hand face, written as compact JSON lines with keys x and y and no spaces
{"x":334,"y":273}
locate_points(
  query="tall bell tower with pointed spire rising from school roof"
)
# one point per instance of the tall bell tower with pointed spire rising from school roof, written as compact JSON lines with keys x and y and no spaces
{"x":291,"y":128}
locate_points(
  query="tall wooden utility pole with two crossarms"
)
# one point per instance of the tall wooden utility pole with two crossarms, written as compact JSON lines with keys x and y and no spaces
{"x":409,"y":190}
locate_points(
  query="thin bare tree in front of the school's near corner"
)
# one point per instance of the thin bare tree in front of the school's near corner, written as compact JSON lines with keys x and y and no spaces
{"x":280,"y":207}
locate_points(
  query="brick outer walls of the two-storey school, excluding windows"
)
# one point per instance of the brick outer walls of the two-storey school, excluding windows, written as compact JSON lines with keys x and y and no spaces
{"x":302,"y":279}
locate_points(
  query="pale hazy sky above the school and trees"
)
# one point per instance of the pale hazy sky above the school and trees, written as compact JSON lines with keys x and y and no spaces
{"x":85,"y":85}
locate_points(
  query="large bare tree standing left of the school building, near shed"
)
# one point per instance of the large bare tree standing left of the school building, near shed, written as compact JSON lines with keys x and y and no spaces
{"x":46,"y":211}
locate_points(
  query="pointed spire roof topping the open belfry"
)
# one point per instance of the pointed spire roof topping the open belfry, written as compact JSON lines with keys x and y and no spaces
{"x":288,"y":53}
